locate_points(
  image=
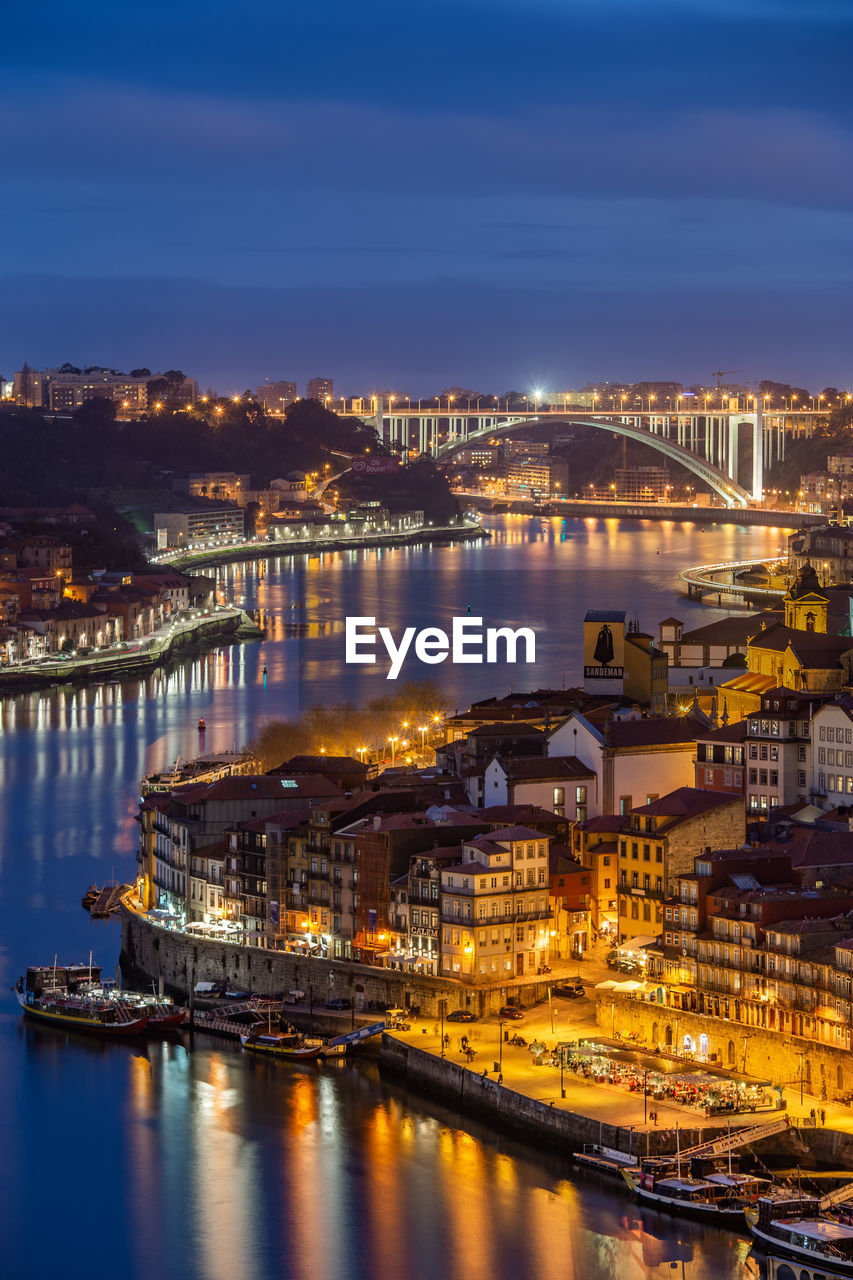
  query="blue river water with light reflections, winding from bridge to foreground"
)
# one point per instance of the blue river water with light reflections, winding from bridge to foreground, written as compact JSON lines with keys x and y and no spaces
{"x":135,"y":1162}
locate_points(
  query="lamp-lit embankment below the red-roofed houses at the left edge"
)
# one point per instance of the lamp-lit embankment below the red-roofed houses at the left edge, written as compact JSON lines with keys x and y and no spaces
{"x":223,"y":625}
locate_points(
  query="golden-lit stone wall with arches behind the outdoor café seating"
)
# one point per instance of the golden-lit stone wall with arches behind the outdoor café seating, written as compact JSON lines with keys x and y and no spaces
{"x":750,"y":1050}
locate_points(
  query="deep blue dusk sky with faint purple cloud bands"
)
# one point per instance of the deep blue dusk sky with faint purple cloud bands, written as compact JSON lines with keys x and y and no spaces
{"x":414,"y":195}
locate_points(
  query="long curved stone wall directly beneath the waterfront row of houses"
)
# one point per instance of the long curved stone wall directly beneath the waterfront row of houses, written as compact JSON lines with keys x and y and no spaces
{"x":153,"y":953}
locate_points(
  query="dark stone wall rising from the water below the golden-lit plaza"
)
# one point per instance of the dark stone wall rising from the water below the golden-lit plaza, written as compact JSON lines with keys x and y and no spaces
{"x":476,"y":1095}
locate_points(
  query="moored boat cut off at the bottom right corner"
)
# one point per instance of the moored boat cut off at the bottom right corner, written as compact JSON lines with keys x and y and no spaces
{"x":795,"y":1227}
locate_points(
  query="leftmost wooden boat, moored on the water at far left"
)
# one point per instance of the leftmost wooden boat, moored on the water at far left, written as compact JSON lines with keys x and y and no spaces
{"x":45,"y":999}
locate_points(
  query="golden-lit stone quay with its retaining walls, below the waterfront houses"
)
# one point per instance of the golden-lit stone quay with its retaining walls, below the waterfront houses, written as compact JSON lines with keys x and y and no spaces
{"x":501,"y":1082}
